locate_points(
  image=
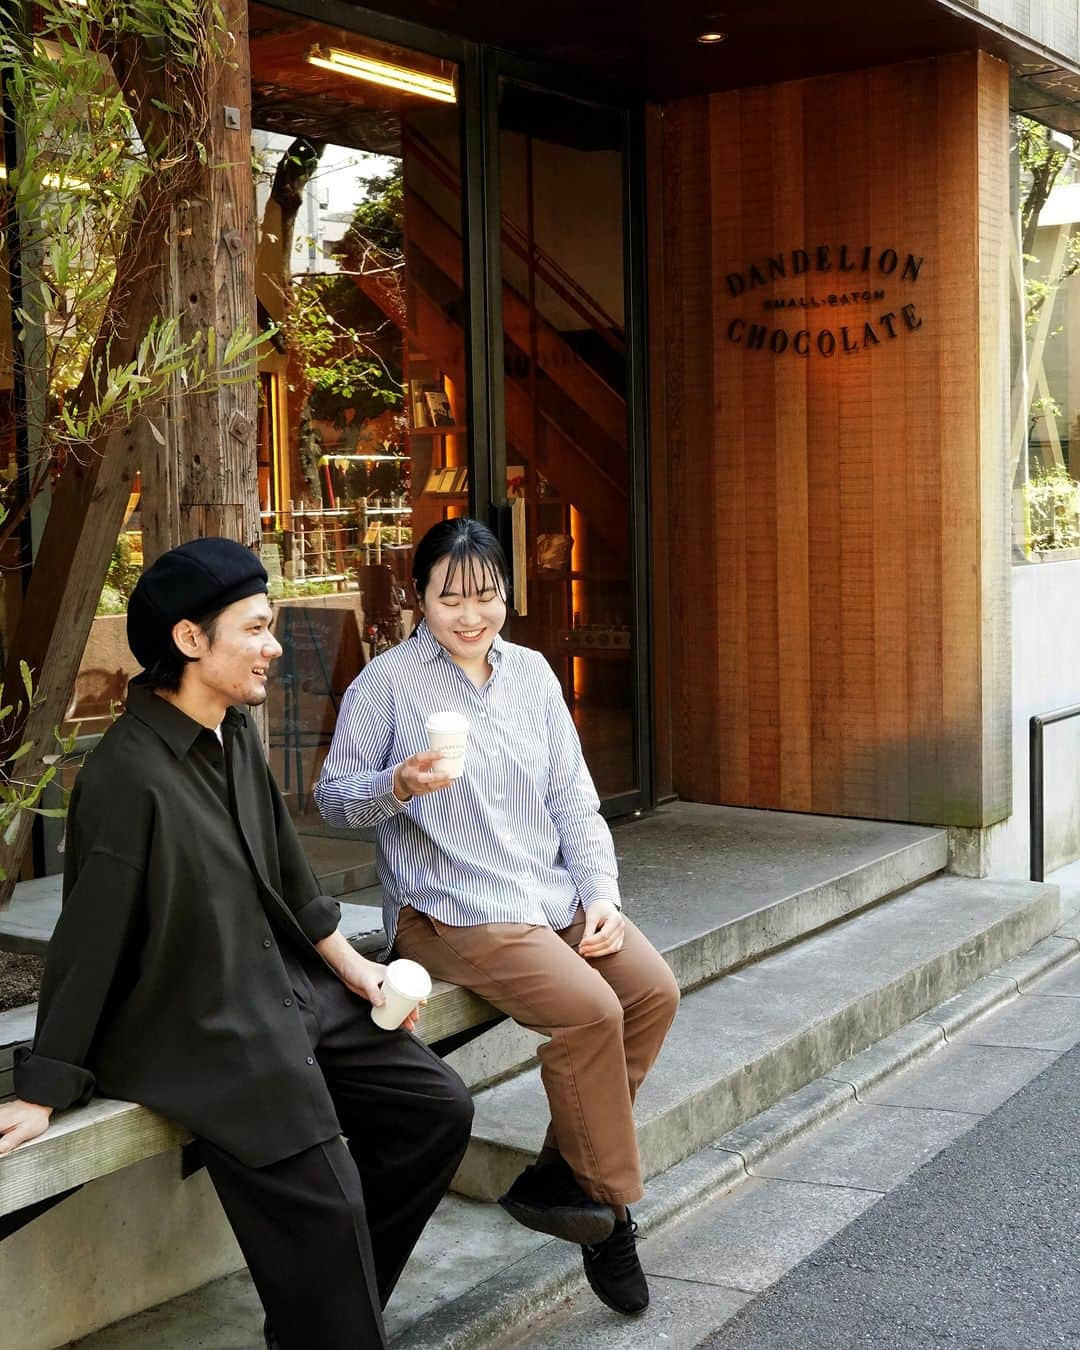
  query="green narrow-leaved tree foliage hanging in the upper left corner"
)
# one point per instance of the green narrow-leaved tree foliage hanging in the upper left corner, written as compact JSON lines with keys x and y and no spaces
{"x":109,"y":107}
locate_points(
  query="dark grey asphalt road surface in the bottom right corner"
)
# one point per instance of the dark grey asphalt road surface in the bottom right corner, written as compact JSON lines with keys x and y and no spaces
{"x":977,"y":1251}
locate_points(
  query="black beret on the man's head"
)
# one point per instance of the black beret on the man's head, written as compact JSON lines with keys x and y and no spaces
{"x":190,"y":583}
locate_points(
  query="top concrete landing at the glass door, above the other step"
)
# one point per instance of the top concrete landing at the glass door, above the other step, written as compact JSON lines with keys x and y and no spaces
{"x":715,"y":888}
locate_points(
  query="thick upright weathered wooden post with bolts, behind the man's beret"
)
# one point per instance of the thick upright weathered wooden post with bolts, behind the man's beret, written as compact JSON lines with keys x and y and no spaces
{"x":205,"y":479}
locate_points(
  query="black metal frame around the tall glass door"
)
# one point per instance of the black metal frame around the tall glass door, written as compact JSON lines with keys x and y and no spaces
{"x":483,"y":67}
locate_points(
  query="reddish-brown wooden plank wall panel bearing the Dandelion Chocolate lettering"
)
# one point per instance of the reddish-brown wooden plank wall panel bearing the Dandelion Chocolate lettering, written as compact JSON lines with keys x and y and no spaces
{"x":838,"y":520}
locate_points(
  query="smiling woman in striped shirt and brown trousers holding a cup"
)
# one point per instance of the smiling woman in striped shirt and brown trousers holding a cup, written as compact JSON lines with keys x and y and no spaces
{"x":504,"y":881}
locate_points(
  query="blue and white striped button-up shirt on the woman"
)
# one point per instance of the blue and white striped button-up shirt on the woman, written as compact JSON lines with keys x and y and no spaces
{"x":519,"y":838}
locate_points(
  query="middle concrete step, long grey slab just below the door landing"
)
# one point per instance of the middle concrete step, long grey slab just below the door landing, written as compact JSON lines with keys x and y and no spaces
{"x":761,"y":1033}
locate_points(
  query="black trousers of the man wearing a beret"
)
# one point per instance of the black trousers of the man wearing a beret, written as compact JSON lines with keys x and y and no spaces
{"x":327,"y":1233}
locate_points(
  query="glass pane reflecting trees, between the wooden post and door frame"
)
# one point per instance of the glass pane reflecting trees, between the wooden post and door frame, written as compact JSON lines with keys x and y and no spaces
{"x":364,"y":427}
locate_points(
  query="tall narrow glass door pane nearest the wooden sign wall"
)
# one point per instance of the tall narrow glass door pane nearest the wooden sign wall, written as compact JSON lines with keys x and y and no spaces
{"x":569,"y":450}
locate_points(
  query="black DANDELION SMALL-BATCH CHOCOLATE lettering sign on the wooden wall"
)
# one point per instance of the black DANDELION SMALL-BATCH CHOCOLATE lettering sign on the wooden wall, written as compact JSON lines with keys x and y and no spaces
{"x":861,"y":306}
